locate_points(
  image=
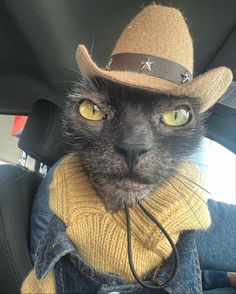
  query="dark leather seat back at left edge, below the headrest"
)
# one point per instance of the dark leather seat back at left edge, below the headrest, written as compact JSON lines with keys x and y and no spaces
{"x":17,"y":189}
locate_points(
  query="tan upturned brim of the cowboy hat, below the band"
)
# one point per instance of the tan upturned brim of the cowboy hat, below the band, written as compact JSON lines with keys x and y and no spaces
{"x":208,"y":87}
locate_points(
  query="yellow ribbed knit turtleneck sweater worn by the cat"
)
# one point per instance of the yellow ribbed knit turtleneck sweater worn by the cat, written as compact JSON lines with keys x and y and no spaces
{"x":101,"y":236}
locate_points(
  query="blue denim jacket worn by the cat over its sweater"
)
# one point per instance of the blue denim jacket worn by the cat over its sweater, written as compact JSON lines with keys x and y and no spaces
{"x":74,"y":275}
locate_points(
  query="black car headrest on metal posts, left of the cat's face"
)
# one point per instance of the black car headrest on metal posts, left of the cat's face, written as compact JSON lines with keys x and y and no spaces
{"x":42,"y":134}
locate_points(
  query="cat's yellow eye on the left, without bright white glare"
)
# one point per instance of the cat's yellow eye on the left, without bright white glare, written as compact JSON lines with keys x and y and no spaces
{"x":91,"y":111}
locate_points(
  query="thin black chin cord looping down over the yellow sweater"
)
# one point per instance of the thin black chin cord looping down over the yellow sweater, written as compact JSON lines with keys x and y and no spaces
{"x":131,"y":264}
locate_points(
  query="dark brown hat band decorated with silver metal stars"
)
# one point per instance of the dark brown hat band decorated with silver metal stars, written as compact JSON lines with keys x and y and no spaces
{"x":150,"y":65}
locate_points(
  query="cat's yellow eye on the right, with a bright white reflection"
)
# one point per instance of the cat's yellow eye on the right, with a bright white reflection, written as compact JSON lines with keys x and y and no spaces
{"x":177,"y":117}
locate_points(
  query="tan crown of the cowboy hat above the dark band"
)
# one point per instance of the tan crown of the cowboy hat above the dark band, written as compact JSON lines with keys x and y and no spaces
{"x":158,"y":31}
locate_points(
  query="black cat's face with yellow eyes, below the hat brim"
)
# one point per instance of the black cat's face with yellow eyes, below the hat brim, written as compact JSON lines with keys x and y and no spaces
{"x":130,"y":141}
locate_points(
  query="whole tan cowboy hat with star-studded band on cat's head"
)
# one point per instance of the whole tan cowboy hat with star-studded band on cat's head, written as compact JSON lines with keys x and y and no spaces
{"x":155,"y":52}
